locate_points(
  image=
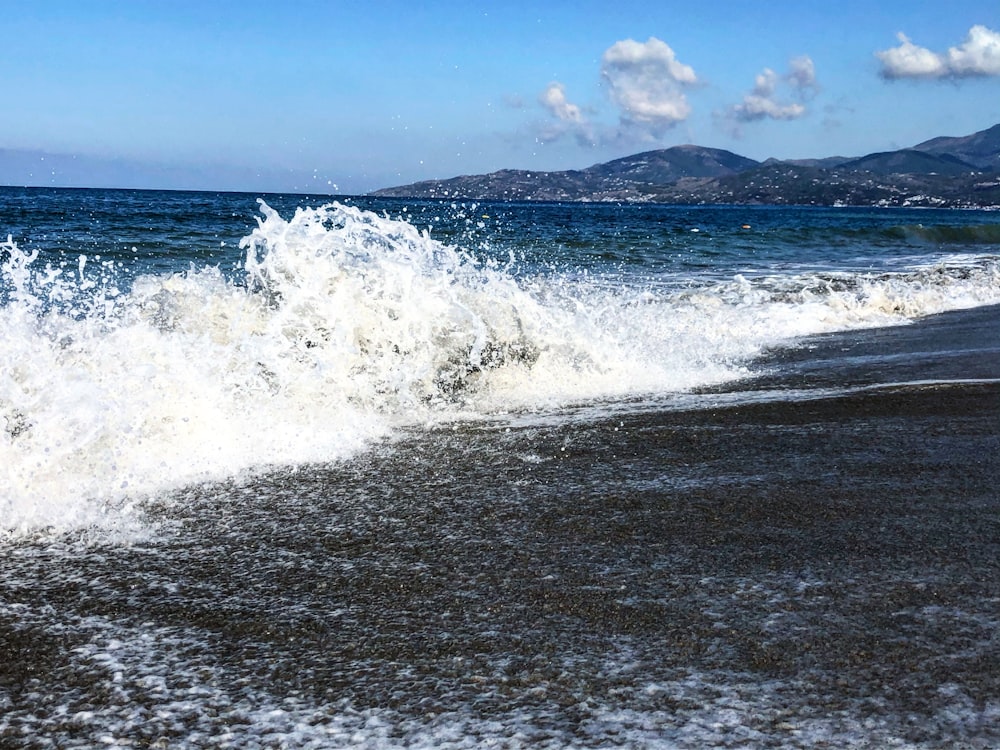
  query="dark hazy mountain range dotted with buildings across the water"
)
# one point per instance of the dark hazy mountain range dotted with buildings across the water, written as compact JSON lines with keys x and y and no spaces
{"x":954,"y":172}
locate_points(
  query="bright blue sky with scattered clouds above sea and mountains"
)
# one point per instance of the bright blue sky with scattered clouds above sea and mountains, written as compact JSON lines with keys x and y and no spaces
{"x":348,"y":97}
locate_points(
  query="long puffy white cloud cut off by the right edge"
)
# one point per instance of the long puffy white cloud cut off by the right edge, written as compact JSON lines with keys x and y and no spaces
{"x":977,"y":56}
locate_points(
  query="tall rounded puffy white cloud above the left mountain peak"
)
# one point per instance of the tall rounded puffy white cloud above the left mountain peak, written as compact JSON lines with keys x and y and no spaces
{"x":647,"y":82}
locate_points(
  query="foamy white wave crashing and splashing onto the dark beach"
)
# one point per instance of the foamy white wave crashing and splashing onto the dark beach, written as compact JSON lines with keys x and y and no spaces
{"x":346,"y":326}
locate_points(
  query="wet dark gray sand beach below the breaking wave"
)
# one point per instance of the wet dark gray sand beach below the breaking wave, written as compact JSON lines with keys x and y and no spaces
{"x":812,"y":562}
